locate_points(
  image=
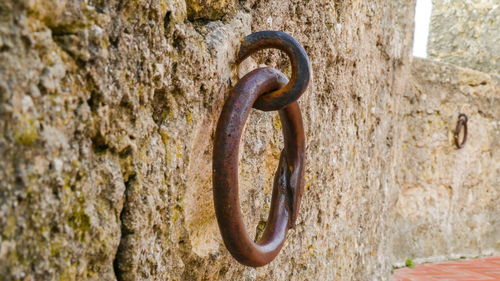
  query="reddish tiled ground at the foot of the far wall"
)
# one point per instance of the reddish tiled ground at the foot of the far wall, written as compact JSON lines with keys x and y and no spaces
{"x":464,"y":270}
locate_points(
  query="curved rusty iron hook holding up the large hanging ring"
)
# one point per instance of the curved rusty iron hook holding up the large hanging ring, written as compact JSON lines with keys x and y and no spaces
{"x":301,"y":71}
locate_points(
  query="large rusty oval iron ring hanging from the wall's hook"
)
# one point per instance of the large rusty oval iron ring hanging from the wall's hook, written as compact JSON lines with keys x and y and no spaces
{"x":288,"y":180}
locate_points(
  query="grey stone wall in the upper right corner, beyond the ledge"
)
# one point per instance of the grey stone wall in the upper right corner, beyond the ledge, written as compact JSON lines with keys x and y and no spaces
{"x":466,"y":33}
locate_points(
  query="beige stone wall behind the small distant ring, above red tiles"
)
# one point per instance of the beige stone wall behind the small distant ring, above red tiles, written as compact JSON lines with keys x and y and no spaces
{"x":449,"y":198}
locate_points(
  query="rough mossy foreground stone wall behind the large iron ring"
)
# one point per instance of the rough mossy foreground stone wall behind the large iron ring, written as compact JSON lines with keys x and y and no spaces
{"x":107,"y":113}
